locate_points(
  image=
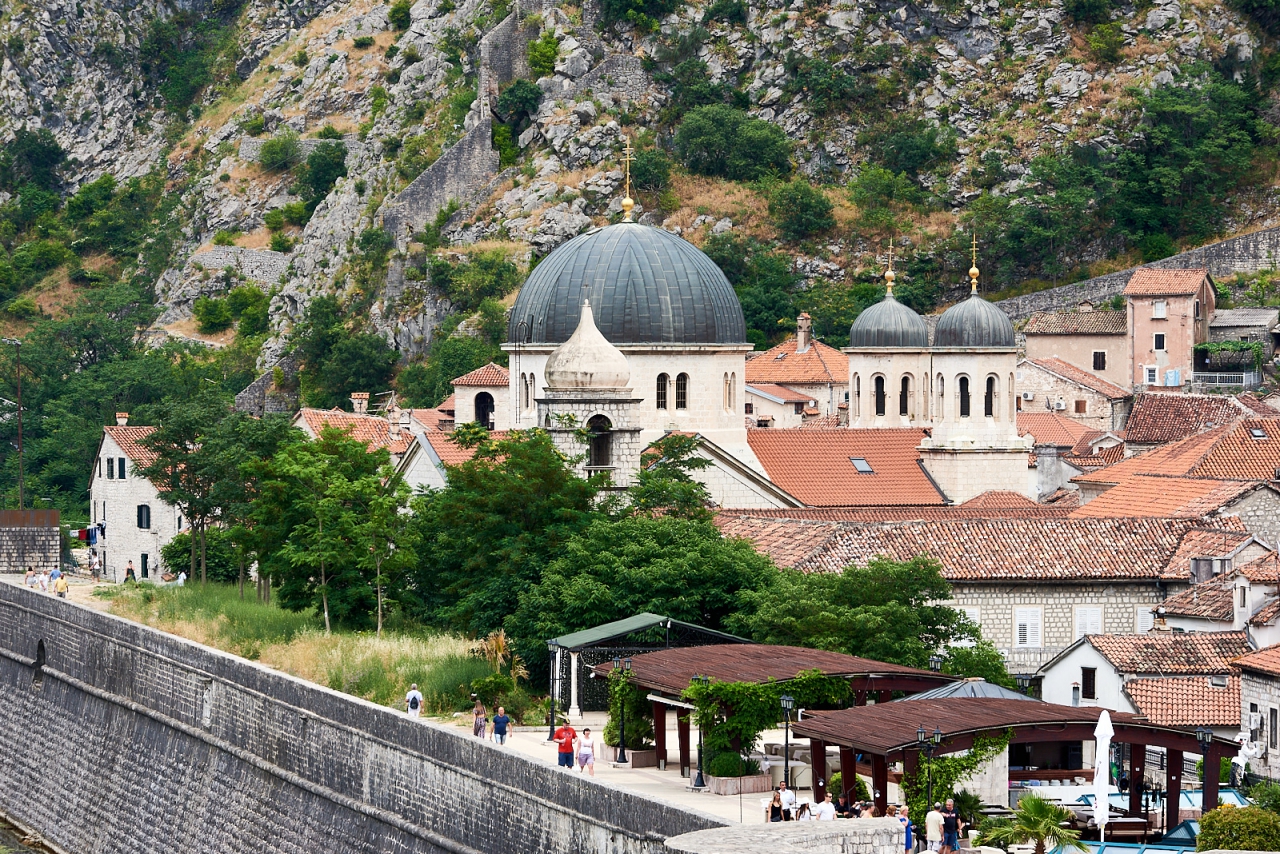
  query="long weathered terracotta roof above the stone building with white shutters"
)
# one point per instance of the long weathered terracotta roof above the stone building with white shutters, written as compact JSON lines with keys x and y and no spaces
{"x":998,"y":550}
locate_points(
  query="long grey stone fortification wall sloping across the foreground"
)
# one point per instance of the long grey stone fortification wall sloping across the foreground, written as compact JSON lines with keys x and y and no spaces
{"x":181,"y":750}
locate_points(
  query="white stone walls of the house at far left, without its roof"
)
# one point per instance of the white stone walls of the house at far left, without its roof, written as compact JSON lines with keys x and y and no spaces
{"x":116,"y":503}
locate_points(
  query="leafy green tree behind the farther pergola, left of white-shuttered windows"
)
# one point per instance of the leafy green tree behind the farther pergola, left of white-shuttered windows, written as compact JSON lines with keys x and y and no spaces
{"x":889,"y":611}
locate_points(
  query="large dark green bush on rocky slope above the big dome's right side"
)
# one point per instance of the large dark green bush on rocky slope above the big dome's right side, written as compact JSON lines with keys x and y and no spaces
{"x":725,"y":143}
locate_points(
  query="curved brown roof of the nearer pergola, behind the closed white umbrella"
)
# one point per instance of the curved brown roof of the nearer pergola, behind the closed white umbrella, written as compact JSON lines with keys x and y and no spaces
{"x":888,"y":728}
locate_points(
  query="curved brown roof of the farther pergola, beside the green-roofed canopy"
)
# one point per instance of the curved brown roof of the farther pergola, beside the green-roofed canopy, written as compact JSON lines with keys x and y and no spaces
{"x":673,"y":670}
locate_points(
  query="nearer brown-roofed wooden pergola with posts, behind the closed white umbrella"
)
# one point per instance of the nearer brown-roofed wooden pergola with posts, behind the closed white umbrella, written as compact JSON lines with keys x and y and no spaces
{"x":889,"y":734}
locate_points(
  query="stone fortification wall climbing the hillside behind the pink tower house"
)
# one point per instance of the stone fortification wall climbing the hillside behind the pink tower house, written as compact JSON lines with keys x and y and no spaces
{"x":1246,"y":254}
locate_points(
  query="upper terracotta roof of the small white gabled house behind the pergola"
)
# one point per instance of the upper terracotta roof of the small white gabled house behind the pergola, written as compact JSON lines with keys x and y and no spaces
{"x":1173,"y":654}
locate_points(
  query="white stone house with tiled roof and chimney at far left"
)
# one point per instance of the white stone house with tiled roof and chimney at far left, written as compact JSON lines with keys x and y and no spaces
{"x":138,"y":523}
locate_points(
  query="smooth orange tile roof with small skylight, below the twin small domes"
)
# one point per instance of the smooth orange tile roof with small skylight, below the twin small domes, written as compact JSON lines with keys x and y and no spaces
{"x":816,"y":467}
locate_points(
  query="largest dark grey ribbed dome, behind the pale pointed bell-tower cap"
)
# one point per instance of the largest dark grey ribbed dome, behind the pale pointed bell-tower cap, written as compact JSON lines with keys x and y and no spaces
{"x":646,"y":286}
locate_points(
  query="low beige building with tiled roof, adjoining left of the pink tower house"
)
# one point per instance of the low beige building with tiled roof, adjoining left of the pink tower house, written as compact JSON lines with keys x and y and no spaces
{"x":1092,"y":341}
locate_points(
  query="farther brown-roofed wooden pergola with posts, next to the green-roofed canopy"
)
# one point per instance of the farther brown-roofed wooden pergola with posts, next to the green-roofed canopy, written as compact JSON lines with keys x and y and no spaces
{"x":669,"y":673}
